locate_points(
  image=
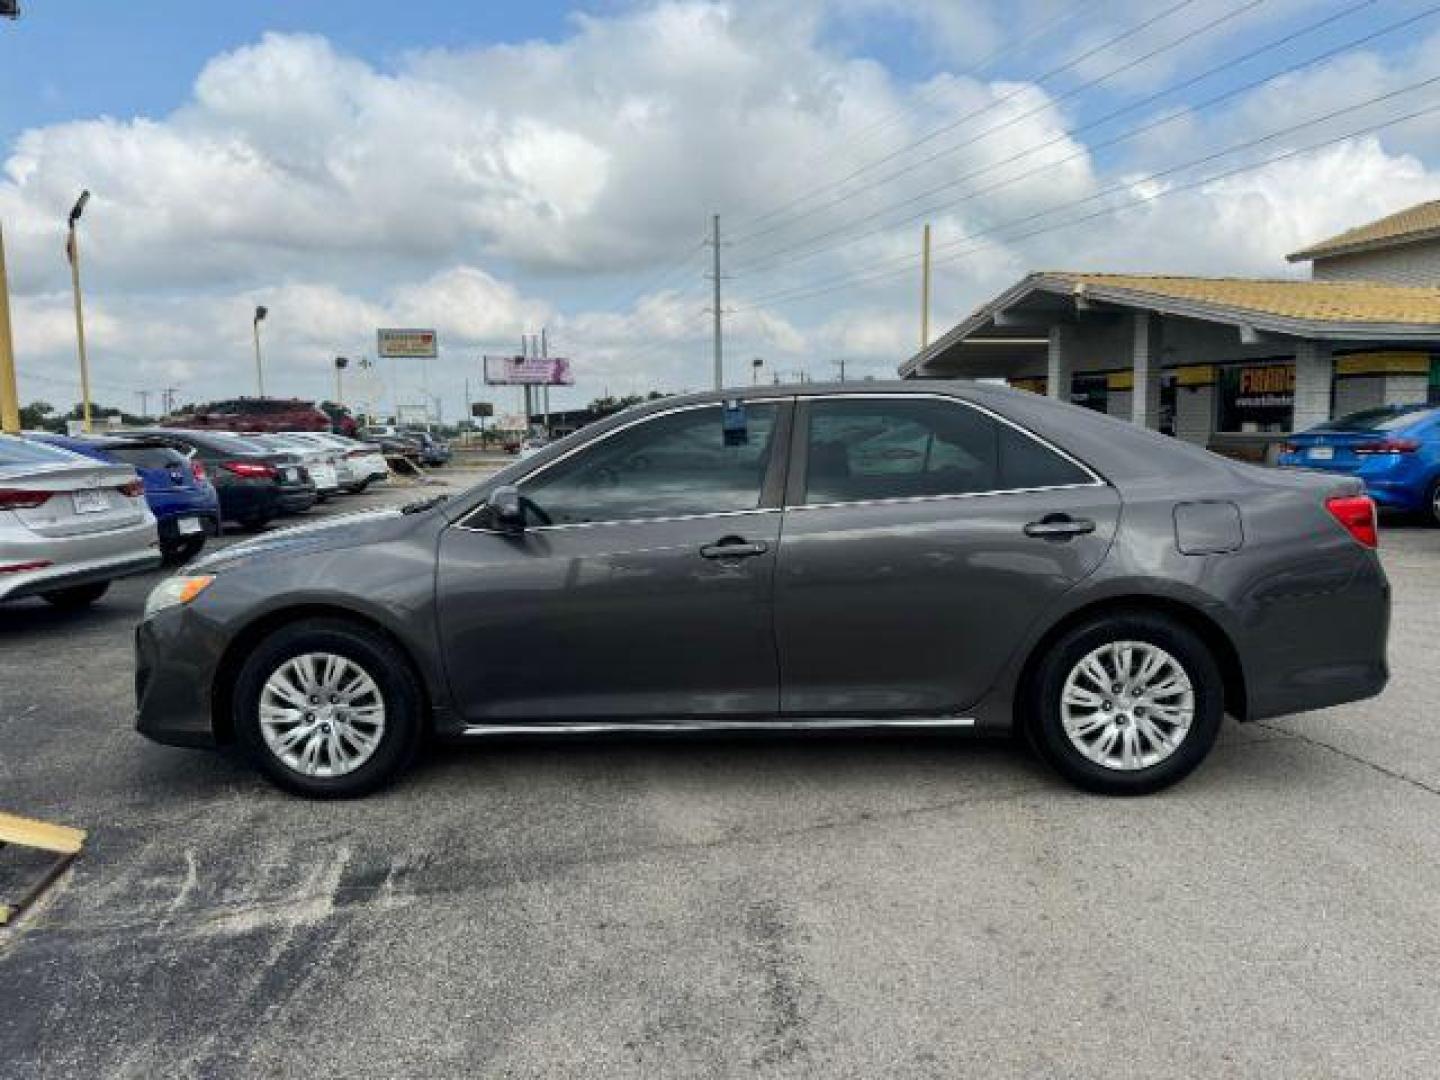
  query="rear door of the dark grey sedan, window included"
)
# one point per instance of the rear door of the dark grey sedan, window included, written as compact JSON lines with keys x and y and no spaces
{"x":922,"y":538}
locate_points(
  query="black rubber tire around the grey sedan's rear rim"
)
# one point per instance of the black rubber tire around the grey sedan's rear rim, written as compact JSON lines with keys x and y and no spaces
{"x":1042,"y":709}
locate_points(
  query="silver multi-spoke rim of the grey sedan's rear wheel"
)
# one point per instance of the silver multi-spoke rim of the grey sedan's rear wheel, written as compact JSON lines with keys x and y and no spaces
{"x":1128,"y":705}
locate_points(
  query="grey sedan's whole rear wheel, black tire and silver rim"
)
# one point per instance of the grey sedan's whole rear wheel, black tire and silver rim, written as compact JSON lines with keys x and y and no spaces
{"x":1127,"y":705}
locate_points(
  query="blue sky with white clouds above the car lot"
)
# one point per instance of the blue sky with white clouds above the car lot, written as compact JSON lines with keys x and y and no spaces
{"x":490,"y":169}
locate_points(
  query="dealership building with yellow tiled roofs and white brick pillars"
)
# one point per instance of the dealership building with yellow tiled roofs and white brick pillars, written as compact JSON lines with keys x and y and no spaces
{"x":1233,"y":364}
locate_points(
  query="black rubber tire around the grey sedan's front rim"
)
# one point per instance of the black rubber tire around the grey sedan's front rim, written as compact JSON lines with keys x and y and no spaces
{"x":379,"y":659}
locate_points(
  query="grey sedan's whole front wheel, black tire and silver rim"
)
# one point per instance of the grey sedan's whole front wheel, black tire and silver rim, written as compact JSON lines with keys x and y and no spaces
{"x":329,"y":709}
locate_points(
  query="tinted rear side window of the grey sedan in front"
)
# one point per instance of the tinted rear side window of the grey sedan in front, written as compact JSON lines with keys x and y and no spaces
{"x":866,"y":450}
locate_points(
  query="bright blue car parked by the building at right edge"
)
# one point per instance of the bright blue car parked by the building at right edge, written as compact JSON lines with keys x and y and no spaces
{"x":1395,"y":450}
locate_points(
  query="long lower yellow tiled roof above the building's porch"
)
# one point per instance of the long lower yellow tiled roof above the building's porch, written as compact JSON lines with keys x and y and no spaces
{"x":1318,"y":302}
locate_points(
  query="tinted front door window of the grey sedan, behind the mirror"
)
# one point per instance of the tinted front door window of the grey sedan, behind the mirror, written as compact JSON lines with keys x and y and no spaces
{"x":670,"y":467}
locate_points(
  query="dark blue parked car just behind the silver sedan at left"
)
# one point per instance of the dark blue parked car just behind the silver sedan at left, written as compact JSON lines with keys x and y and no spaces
{"x":182,"y":499}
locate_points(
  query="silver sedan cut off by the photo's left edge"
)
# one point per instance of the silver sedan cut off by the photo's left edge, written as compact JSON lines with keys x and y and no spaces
{"x":70,"y":525}
